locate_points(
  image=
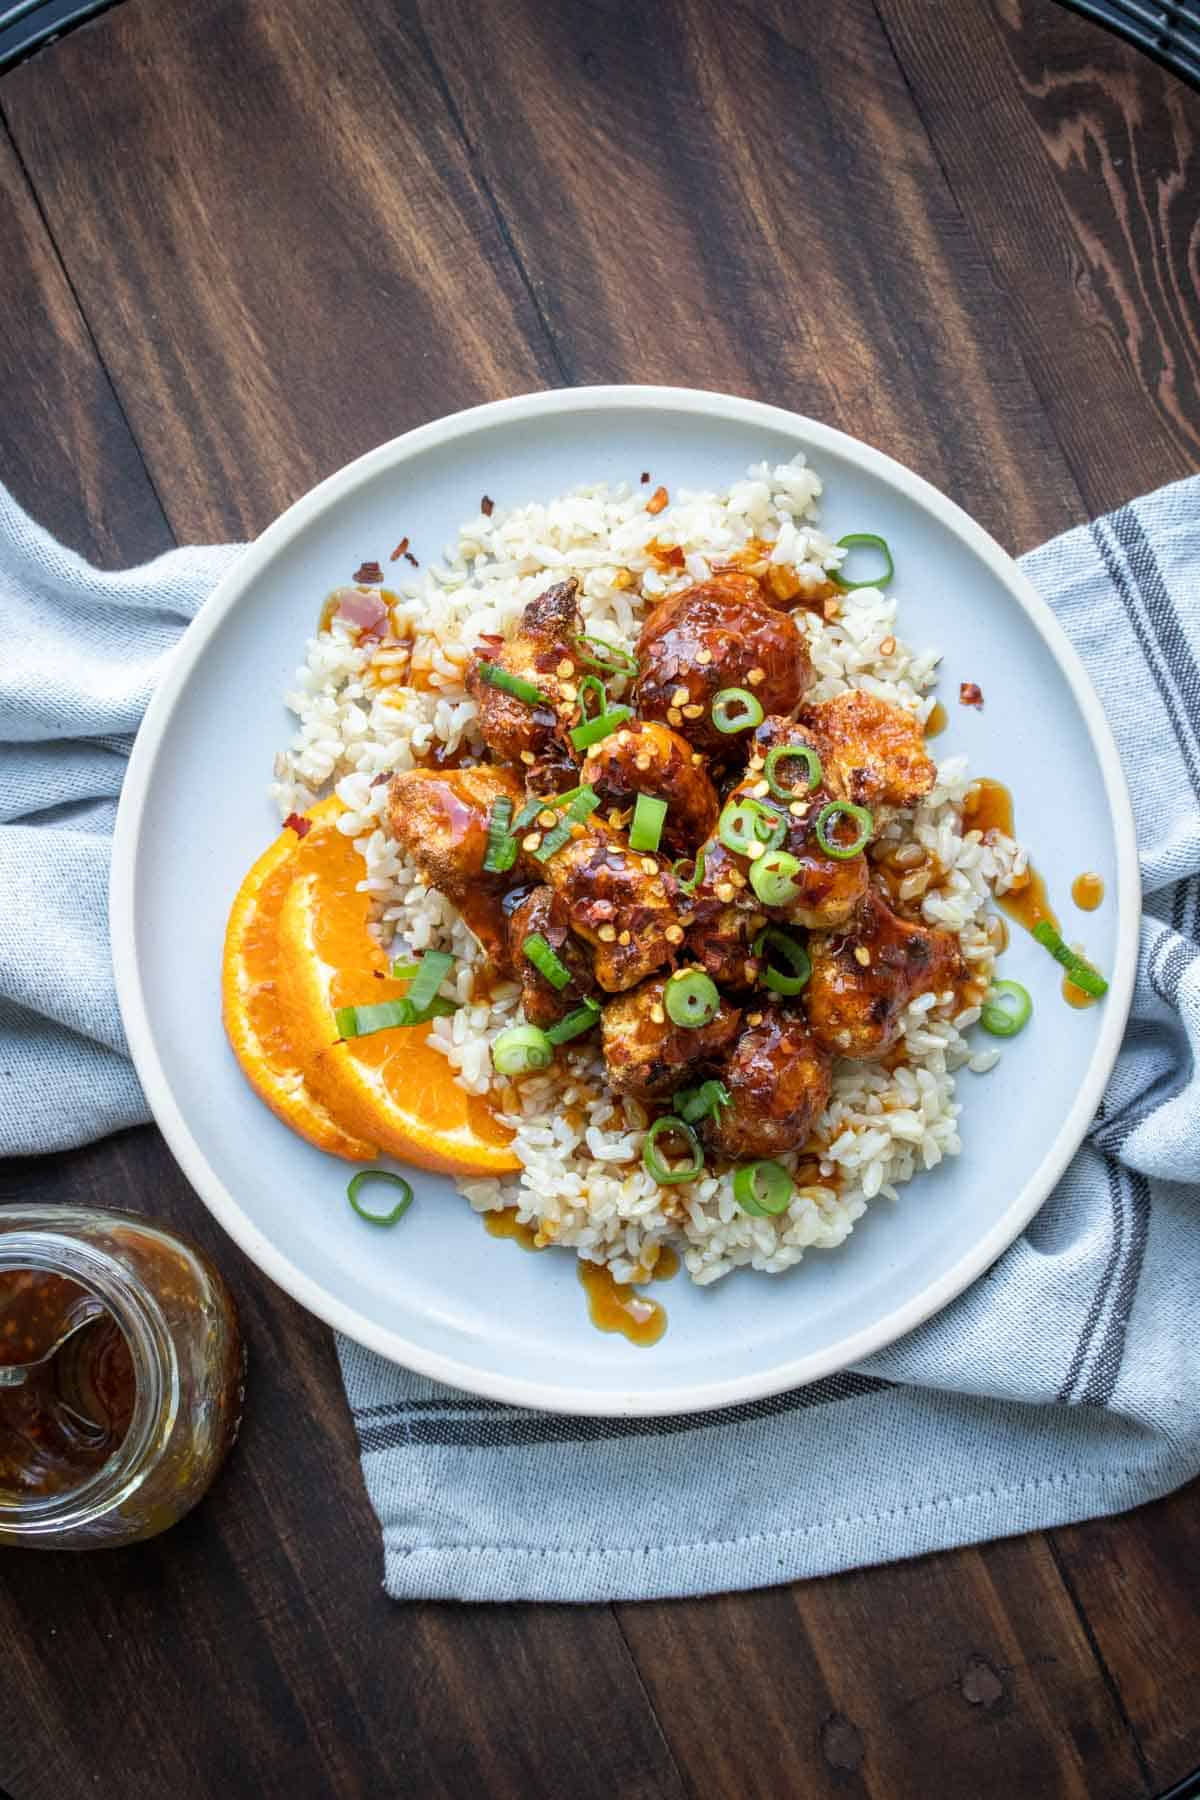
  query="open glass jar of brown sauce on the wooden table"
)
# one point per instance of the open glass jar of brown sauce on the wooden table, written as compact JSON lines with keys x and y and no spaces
{"x":125,"y":1430}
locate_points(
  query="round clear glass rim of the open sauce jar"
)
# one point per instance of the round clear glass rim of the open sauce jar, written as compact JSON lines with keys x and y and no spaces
{"x":156,"y":1390}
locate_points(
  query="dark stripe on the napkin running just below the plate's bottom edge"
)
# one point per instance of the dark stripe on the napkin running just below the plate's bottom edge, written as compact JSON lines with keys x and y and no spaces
{"x":485,"y":1425}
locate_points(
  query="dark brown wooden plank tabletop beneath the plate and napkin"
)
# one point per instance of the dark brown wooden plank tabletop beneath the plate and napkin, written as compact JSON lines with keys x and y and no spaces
{"x":240,"y":244}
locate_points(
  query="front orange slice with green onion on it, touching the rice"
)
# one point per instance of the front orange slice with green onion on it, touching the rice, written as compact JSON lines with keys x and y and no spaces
{"x":393,"y":1086}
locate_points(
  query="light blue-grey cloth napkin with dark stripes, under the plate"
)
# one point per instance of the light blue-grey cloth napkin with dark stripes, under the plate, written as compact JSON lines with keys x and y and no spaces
{"x":1062,"y":1385}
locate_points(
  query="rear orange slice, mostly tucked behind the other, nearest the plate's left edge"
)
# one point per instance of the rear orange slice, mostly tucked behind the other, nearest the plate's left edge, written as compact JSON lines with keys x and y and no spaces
{"x":253,"y":978}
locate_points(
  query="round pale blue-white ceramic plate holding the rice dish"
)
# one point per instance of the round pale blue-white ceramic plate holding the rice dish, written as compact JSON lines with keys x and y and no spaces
{"x":438,"y":1293}
